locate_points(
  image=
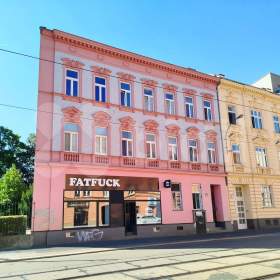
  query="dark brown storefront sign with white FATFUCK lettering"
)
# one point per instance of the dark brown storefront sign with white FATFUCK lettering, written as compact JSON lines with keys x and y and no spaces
{"x":97,"y":182}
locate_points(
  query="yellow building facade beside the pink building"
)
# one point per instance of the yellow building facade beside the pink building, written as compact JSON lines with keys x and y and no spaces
{"x":251,"y":139}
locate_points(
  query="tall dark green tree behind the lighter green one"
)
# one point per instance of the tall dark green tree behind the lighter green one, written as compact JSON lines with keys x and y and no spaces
{"x":13,"y":151}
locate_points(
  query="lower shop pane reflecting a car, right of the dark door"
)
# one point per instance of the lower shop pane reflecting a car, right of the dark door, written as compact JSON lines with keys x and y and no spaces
{"x":148,"y":212}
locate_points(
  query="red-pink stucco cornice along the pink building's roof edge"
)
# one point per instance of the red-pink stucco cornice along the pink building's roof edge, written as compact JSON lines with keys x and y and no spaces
{"x":129,"y":56}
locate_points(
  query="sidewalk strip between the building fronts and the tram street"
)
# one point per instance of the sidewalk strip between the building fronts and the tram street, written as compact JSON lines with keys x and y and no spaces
{"x":103,"y":246}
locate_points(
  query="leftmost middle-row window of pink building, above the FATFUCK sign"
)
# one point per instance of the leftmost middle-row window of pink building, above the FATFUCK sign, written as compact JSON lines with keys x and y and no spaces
{"x":71,"y":137}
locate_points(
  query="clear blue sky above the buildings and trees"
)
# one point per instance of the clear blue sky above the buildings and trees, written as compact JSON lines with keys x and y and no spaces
{"x":237,"y":38}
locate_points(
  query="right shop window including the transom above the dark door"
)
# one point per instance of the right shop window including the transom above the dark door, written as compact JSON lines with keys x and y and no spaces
{"x":148,"y":207}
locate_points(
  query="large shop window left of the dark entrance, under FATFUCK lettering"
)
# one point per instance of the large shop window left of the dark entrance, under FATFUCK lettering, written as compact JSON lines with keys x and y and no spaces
{"x":89,"y":209}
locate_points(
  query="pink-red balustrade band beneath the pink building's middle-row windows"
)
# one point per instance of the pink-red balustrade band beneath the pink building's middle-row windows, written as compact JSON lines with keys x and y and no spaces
{"x":132,"y":162}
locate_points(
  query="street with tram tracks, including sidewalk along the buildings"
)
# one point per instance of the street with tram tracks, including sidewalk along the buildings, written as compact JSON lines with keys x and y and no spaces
{"x":252,"y":256}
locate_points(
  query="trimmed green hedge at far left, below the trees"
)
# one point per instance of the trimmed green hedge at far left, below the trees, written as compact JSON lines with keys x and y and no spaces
{"x":10,"y":225}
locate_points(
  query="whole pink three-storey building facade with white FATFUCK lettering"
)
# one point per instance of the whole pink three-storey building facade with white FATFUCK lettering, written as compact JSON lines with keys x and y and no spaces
{"x":126,"y":146}
